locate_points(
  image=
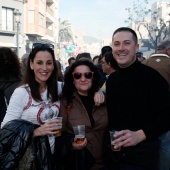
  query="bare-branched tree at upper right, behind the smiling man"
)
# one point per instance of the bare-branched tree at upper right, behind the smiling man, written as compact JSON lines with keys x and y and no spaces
{"x":157,"y":29}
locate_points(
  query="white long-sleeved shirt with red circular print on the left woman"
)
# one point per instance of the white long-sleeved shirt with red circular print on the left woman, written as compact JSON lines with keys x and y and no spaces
{"x":23,"y":106}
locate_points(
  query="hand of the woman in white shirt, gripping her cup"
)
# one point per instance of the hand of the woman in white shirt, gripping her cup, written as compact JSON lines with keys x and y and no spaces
{"x":48,"y":128}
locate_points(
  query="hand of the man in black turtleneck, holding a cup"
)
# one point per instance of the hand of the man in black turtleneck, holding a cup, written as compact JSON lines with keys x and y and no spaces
{"x":128,"y":138}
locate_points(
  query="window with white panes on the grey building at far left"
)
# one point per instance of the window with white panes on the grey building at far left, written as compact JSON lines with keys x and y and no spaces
{"x":7,"y":19}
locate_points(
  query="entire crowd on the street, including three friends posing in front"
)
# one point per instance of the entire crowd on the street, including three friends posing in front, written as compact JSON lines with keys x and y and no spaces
{"x":117,"y":90}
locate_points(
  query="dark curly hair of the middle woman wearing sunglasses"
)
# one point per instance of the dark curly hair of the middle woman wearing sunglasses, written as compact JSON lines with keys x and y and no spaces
{"x":69,"y":87}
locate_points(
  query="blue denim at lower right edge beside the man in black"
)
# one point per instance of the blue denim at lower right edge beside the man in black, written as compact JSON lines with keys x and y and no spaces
{"x":164,"y":159}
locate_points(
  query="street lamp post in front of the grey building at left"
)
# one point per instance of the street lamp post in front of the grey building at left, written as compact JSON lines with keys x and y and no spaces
{"x":17,"y":14}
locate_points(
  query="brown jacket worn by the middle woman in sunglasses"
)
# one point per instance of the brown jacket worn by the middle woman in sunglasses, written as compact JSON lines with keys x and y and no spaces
{"x":78,"y":115}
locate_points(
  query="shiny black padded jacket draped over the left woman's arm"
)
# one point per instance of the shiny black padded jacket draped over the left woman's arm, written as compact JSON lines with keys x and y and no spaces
{"x":15,"y":137}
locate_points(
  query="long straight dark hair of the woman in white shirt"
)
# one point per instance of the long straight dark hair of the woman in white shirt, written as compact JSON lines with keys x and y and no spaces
{"x":29,"y":78}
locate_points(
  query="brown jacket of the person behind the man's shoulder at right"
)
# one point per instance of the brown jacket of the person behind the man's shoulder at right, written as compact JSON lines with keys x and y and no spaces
{"x":161,"y":63}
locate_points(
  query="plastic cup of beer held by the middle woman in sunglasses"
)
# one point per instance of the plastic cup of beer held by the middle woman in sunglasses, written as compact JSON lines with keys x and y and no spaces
{"x":79,"y":131}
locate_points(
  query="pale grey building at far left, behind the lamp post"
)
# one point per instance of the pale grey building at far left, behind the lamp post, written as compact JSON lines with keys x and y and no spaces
{"x":8,"y":23}
